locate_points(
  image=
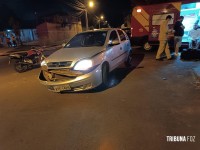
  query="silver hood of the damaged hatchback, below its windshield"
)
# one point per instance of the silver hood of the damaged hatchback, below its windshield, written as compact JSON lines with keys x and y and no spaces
{"x":73,"y":54}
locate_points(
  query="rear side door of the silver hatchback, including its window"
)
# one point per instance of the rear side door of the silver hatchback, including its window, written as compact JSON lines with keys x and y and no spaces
{"x":124,"y":46}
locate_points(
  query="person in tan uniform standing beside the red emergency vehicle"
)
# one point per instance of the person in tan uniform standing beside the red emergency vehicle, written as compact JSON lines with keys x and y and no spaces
{"x":163,"y":39}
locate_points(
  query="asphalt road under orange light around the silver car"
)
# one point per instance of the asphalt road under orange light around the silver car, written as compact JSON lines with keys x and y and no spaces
{"x":144,"y":105}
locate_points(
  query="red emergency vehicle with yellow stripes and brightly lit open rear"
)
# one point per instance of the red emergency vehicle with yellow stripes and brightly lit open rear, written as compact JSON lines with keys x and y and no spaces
{"x":146,"y":19}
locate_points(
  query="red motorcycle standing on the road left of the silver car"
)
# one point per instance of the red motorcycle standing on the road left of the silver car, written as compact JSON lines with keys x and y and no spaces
{"x":28,"y":60}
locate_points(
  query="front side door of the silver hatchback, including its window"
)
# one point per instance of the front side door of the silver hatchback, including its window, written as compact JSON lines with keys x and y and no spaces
{"x":114,"y":50}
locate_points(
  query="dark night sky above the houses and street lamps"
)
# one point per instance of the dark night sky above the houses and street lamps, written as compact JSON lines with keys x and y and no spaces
{"x":27,"y":10}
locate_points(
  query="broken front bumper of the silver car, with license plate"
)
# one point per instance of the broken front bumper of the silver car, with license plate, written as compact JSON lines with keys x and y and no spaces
{"x":58,"y":82}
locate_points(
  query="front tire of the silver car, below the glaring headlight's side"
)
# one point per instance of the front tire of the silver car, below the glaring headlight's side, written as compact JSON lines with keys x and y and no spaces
{"x":105,"y":75}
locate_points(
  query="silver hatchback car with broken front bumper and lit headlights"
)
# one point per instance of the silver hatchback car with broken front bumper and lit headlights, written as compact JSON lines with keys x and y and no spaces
{"x":86,"y":60}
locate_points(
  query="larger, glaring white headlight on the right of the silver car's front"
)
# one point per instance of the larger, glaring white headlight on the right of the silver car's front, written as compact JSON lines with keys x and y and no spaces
{"x":83,"y":65}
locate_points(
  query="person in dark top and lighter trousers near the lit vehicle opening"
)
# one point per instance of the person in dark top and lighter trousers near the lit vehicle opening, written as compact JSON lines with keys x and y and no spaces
{"x":178,"y":34}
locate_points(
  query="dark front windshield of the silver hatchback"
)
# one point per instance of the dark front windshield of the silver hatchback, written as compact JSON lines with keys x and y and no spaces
{"x":87,"y":39}
